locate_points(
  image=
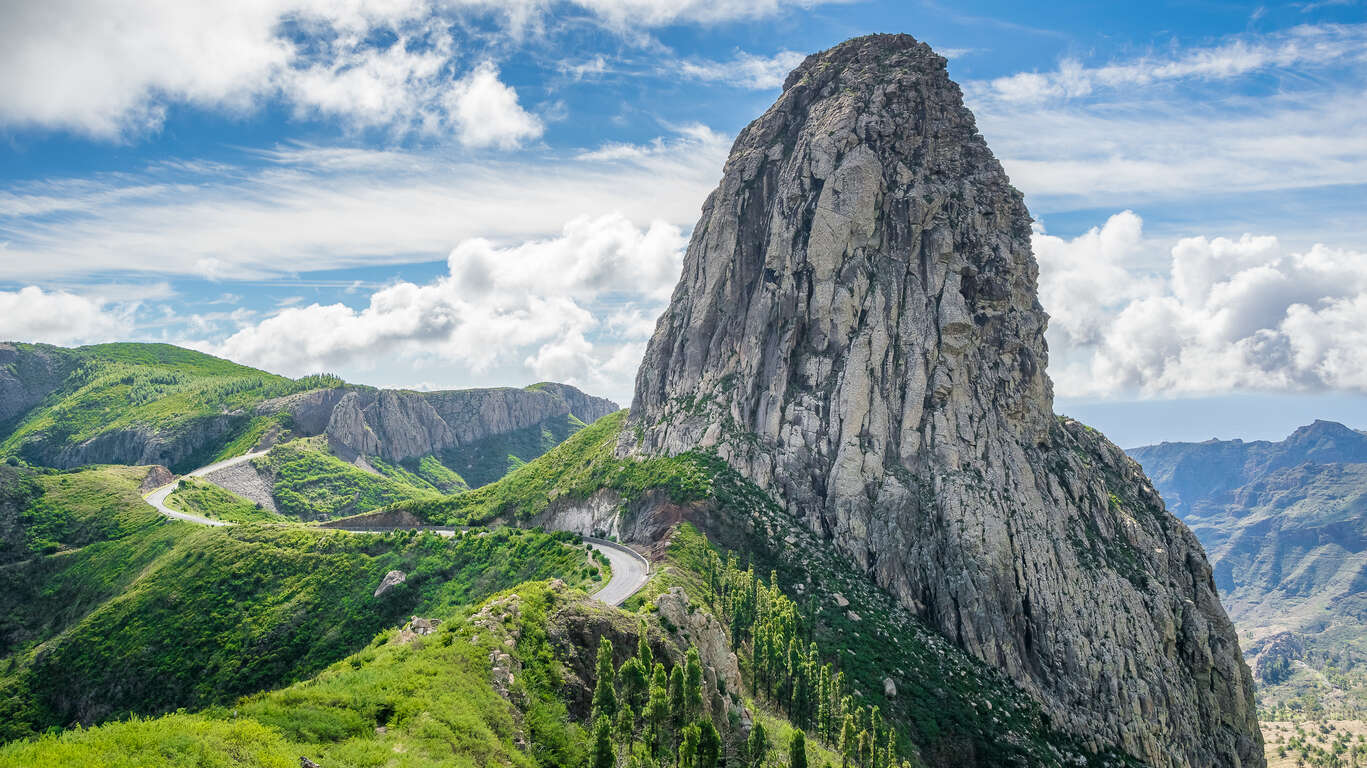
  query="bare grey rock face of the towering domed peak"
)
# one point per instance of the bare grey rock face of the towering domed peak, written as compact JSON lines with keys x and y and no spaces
{"x":858,"y":330}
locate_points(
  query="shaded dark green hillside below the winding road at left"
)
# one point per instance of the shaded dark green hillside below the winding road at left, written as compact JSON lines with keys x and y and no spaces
{"x":159,"y":614}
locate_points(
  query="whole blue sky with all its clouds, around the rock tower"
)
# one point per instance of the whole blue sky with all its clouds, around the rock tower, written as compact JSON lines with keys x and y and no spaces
{"x":459,"y":193}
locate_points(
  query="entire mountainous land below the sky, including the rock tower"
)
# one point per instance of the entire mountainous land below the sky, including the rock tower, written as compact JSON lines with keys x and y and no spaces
{"x":841,"y":523}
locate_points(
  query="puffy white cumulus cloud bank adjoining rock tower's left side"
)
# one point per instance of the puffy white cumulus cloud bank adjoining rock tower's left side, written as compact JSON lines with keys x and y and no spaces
{"x":535,"y":305}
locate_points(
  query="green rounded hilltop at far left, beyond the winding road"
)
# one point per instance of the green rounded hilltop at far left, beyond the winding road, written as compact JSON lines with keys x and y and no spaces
{"x":157,"y":386}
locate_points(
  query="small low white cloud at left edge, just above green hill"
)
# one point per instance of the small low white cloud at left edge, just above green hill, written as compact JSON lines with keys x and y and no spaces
{"x":61,"y":318}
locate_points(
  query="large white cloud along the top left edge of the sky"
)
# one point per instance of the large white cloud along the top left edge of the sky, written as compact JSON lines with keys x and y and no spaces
{"x":111,"y":70}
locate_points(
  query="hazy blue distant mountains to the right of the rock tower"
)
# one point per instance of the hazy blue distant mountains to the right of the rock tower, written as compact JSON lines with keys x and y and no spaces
{"x":1286,"y":528}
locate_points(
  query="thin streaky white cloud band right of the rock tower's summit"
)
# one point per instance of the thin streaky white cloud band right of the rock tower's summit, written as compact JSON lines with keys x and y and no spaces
{"x":1251,"y":115}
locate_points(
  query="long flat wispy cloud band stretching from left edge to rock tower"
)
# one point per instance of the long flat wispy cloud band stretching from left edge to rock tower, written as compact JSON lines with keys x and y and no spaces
{"x":331,"y":208}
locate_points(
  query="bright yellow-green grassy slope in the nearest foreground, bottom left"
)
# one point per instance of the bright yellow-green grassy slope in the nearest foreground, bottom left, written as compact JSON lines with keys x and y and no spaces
{"x":423,"y":704}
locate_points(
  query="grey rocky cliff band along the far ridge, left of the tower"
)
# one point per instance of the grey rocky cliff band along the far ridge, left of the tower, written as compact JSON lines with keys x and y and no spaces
{"x":398,"y":424}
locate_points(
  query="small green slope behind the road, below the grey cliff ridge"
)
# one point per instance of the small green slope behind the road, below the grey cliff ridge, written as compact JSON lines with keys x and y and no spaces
{"x":312,"y":484}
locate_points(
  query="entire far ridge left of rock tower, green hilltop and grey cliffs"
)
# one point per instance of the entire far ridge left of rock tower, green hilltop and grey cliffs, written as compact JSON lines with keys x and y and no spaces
{"x":163,"y":405}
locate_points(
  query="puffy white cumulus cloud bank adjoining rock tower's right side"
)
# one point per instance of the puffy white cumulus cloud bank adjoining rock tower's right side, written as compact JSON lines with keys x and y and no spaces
{"x":1226,"y":315}
